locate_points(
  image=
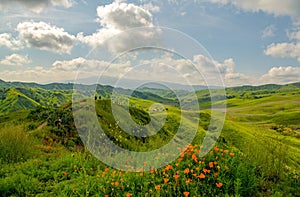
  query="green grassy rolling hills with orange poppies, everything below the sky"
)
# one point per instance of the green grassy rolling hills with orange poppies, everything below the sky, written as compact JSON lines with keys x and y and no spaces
{"x":257,"y":153}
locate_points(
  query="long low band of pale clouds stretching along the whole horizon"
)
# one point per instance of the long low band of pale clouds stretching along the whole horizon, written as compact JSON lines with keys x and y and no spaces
{"x":174,"y":71}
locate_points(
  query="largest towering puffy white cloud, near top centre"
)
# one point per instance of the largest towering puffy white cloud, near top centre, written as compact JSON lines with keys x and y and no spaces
{"x":118,"y":17}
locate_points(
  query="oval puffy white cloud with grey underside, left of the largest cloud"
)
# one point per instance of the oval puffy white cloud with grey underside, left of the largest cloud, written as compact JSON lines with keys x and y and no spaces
{"x":46,"y":37}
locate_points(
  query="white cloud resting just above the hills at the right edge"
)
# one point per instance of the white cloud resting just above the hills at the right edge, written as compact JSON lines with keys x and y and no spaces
{"x":281,"y":75}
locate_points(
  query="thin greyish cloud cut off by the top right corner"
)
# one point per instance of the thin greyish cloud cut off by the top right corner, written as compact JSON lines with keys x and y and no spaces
{"x":278,"y":8}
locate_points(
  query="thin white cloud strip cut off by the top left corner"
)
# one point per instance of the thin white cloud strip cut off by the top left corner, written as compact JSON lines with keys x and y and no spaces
{"x":35,"y":5}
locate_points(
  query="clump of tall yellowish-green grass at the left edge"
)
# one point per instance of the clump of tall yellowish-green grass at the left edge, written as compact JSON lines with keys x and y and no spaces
{"x":15,"y":144}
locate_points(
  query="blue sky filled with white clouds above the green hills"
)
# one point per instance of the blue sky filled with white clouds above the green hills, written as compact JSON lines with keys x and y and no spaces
{"x":235,"y":42}
